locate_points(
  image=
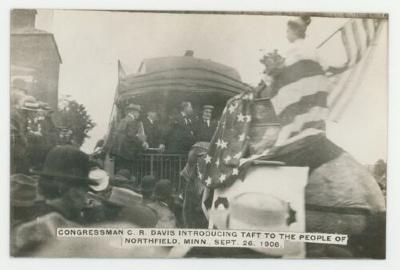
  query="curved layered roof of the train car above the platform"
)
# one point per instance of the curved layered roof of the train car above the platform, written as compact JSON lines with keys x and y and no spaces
{"x":181,"y":73}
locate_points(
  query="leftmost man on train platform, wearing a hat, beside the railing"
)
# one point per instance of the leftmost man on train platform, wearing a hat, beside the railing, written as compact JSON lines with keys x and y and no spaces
{"x":129,"y":139}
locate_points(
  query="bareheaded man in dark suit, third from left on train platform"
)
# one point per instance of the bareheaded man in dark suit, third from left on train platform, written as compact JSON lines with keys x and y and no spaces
{"x":181,"y":134}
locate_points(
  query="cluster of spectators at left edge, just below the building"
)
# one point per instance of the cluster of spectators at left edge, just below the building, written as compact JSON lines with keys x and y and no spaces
{"x":33,"y":132}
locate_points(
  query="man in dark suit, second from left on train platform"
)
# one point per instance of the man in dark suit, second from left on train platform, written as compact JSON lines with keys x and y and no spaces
{"x":153,"y":131}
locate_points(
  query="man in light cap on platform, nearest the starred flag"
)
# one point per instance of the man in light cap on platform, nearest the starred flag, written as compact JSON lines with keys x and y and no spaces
{"x":205,"y":126}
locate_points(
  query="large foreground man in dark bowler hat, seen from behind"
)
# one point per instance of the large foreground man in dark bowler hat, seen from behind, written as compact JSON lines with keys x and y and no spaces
{"x":63,"y":185}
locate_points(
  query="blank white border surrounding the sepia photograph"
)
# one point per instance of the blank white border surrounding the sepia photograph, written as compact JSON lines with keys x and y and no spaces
{"x":393,"y":226}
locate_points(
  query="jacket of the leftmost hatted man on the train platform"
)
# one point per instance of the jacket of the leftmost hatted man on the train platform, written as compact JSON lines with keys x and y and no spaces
{"x":126,"y":143}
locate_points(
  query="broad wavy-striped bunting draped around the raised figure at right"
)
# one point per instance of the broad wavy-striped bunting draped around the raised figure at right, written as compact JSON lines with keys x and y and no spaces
{"x":300,"y":101}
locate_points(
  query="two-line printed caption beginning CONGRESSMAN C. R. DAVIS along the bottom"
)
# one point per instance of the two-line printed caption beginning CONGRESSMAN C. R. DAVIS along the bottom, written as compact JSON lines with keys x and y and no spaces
{"x":203,"y":237}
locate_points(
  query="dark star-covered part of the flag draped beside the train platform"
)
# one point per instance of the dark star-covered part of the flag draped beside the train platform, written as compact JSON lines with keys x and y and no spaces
{"x":229,"y":143}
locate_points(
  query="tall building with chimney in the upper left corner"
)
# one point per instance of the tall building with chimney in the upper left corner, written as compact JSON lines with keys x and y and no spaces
{"x":35,"y":58}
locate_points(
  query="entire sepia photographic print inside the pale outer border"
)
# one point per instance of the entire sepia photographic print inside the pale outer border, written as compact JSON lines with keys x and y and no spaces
{"x":198,"y":134}
